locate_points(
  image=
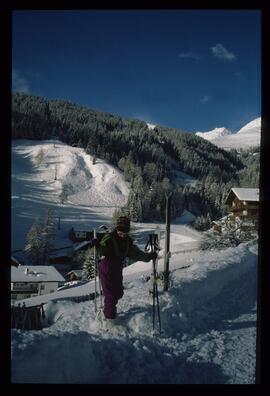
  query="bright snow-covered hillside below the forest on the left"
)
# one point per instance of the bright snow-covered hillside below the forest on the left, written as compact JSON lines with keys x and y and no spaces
{"x":95,"y":190}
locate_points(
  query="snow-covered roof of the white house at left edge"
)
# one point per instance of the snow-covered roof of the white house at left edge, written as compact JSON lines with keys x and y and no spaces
{"x":35,"y":273}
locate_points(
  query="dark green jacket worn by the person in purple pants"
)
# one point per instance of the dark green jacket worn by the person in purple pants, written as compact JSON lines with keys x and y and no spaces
{"x":118,"y":249}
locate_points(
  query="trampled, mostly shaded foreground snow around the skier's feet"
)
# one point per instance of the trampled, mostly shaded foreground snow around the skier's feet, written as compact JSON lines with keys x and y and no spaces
{"x":208,"y":321}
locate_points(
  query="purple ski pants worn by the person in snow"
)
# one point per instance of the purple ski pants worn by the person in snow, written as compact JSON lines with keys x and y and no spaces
{"x":111,"y":278}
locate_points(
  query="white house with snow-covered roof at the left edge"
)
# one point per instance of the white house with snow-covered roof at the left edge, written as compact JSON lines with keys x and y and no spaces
{"x":34,"y":280}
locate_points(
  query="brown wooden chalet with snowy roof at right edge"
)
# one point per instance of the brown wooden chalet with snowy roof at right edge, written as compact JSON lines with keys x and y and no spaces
{"x":244,"y":203}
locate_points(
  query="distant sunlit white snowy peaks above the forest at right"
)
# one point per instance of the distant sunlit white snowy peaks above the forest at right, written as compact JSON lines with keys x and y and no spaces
{"x":246,"y":137}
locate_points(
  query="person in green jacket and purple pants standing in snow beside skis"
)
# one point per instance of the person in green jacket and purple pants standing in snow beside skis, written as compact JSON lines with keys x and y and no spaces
{"x":116,"y":247}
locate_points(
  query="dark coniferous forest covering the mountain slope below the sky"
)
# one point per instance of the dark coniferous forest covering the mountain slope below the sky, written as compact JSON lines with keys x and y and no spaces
{"x":148,"y":158}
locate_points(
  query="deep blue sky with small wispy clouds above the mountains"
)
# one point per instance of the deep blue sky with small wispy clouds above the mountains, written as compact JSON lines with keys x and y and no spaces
{"x":188,"y":69}
